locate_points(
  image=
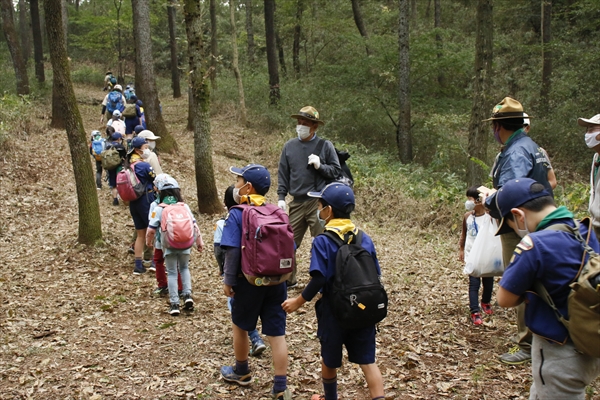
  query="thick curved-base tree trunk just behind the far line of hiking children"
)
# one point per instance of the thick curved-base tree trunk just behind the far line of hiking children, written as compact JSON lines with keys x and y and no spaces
{"x":145,"y":78}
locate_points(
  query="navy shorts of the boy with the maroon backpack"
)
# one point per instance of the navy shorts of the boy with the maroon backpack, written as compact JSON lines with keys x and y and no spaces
{"x":251,"y":302}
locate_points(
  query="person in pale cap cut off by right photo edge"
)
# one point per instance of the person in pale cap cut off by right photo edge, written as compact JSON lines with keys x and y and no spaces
{"x":592,"y":140}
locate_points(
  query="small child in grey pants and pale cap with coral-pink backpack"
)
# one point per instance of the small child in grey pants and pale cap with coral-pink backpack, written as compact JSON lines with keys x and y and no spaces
{"x":178,"y":230}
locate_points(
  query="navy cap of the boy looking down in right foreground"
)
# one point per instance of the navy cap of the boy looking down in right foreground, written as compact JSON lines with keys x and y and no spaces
{"x":513,"y":194}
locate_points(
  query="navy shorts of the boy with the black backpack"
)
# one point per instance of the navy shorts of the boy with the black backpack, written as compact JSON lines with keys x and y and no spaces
{"x":360,"y":343}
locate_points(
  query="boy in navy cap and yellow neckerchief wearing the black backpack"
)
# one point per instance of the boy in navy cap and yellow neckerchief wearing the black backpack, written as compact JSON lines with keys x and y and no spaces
{"x":336,"y":202}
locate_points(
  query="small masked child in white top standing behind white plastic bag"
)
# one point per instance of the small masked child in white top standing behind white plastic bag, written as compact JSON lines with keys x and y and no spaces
{"x":471,"y":221}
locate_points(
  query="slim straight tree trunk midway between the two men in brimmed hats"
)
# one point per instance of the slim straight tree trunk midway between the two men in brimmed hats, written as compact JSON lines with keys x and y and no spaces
{"x":403,"y":135}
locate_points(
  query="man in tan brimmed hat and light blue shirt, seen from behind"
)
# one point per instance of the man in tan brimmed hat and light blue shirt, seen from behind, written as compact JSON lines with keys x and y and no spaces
{"x":520,"y":157}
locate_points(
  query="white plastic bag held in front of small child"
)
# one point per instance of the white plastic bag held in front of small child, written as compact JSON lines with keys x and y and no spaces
{"x":485,"y":258}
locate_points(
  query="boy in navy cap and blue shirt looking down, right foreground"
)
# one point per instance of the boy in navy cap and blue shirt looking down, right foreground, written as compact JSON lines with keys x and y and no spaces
{"x":528,"y":209}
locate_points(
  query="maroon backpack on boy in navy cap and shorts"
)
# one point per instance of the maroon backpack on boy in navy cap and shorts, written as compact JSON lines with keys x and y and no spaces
{"x":267,"y":245}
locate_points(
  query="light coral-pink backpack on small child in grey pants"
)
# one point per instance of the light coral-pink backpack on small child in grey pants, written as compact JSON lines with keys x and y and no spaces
{"x":177,"y":231}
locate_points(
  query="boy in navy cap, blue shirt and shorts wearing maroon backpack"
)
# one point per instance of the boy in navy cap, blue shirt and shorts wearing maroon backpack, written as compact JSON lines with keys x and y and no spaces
{"x":250,"y":302}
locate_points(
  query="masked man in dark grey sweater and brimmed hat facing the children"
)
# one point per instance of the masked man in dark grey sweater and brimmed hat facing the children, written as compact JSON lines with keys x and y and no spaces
{"x":307,"y":164}
